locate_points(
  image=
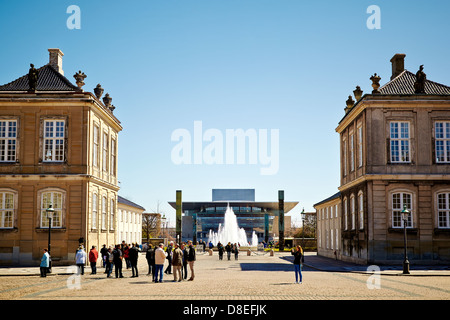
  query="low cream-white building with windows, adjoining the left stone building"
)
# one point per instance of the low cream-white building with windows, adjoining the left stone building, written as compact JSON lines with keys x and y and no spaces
{"x":129,"y":221}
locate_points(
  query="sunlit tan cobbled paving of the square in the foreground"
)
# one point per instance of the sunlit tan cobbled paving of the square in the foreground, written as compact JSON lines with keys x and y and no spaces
{"x":260,"y":277}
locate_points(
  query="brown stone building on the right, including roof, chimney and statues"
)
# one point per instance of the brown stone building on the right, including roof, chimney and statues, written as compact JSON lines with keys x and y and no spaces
{"x":395,"y":152}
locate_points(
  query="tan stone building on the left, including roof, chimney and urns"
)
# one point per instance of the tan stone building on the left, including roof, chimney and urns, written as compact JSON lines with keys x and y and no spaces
{"x":58,"y":146}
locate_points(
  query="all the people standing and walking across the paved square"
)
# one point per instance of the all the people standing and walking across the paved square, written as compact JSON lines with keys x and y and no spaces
{"x":178,"y":257}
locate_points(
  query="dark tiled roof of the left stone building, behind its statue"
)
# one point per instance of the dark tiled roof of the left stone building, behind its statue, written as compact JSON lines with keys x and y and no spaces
{"x":48,"y":80}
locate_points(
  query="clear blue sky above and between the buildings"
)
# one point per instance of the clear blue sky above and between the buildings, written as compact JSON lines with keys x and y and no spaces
{"x":284,"y":65}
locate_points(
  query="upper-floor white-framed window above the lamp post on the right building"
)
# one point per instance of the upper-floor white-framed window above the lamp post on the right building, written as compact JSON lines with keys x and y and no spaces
{"x":399,"y":135}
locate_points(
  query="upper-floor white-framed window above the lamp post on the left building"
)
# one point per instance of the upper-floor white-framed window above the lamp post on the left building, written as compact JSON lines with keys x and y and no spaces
{"x":54,"y":140}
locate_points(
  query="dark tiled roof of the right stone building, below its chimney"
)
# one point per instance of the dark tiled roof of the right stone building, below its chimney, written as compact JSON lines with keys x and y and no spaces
{"x":404,"y":84}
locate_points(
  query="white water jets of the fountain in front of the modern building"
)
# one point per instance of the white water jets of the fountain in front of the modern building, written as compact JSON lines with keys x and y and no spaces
{"x":230,"y":232}
